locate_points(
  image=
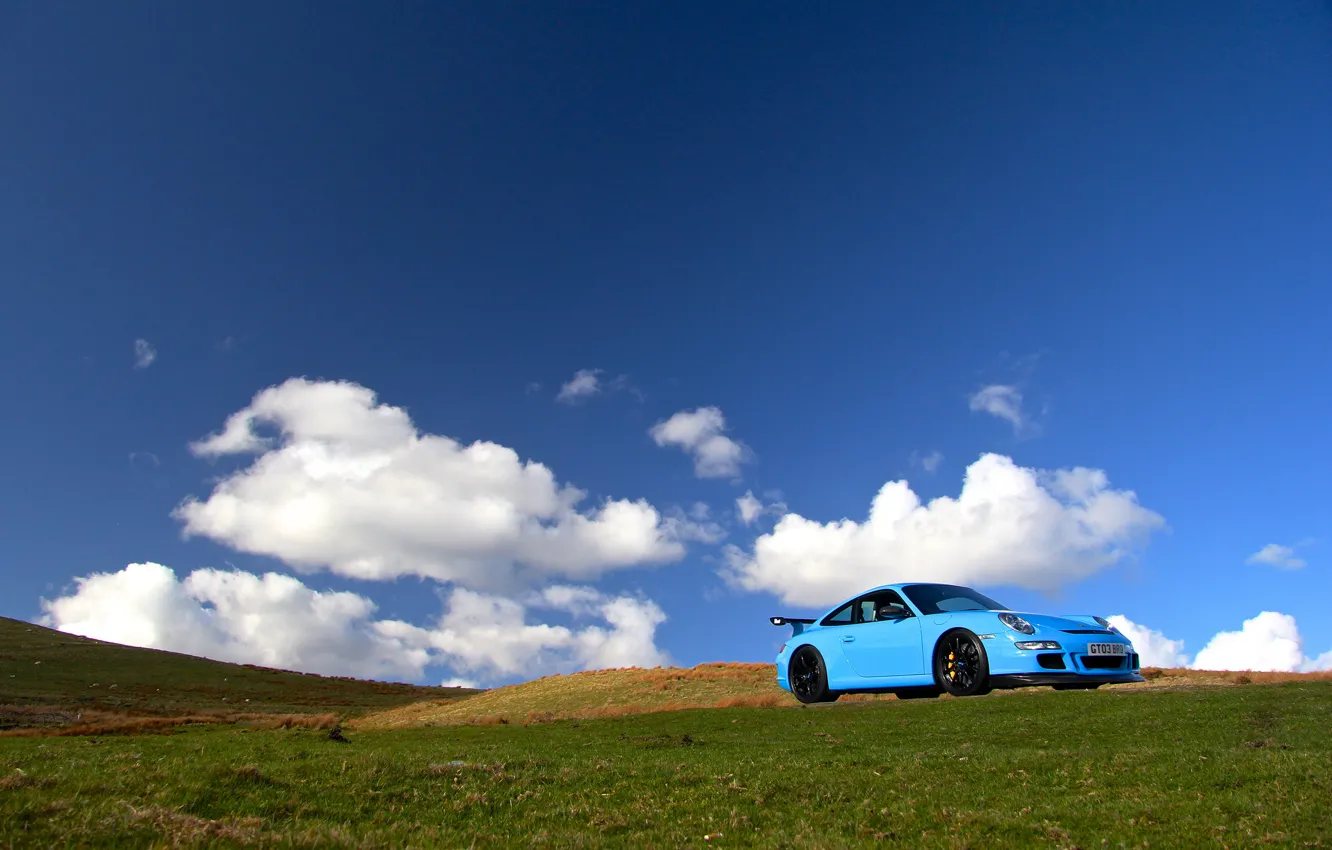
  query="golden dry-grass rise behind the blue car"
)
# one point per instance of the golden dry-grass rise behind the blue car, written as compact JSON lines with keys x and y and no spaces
{"x":719,"y":685}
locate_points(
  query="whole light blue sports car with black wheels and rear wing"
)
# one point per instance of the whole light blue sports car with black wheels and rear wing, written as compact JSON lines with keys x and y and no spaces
{"x":922,"y":640}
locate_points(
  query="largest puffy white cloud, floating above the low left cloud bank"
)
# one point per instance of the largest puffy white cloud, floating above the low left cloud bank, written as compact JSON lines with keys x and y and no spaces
{"x":348,"y":484}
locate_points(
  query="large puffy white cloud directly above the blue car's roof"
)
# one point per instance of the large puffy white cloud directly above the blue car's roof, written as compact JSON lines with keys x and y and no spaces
{"x":1009,"y":526}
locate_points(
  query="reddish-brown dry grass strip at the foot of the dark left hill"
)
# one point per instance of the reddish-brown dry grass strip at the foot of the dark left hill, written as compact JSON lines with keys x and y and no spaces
{"x":47,"y":723}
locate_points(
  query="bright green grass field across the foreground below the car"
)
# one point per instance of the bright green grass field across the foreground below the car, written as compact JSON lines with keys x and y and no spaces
{"x":1193,"y":767}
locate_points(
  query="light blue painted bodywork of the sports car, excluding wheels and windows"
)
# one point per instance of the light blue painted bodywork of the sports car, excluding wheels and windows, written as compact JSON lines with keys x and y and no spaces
{"x":889,"y":655}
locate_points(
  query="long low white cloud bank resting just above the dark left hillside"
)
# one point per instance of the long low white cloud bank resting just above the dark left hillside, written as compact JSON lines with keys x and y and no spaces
{"x":275,"y":620}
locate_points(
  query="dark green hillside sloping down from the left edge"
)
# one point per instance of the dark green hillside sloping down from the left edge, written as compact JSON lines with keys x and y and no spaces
{"x":49,"y":677}
